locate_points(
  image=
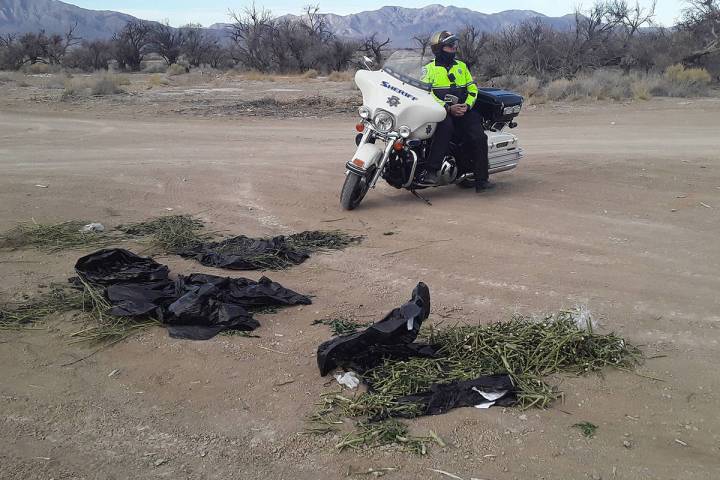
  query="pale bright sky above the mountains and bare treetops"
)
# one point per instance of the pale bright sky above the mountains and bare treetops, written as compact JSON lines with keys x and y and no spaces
{"x":207,"y":12}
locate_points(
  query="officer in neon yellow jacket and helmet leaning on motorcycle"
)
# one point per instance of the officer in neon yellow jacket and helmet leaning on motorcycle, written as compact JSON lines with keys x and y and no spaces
{"x":449,"y":76}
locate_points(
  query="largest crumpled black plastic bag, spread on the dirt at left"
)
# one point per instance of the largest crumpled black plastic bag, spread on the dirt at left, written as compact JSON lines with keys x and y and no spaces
{"x":198,"y":306}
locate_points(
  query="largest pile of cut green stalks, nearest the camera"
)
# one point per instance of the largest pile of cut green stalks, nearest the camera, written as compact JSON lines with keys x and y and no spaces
{"x":527,"y":349}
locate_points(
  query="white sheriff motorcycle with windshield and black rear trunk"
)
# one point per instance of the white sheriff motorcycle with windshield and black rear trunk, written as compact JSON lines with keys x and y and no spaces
{"x":398,"y":118}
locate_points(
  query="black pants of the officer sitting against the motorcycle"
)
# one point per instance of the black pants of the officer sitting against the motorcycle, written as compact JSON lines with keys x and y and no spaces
{"x":474,"y":139}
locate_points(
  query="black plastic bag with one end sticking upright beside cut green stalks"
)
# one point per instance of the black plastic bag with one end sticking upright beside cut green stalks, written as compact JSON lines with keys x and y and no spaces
{"x":391,"y":337}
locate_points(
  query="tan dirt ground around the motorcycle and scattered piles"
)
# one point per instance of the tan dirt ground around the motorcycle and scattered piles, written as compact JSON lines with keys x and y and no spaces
{"x":615,"y":206}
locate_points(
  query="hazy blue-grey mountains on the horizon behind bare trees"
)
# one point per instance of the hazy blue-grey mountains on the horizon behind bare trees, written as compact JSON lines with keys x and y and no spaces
{"x":397,"y":23}
